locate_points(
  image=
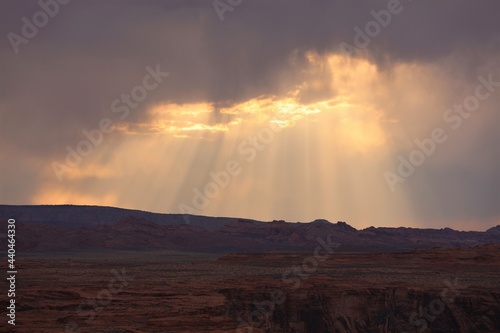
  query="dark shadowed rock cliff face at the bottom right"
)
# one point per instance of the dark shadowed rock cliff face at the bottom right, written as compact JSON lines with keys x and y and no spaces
{"x":320,"y":307}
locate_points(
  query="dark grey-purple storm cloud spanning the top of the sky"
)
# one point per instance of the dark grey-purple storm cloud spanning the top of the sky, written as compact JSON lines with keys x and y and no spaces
{"x":92,"y":51}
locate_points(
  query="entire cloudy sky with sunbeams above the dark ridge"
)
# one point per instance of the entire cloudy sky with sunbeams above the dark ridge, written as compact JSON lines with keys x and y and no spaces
{"x":377,"y":113}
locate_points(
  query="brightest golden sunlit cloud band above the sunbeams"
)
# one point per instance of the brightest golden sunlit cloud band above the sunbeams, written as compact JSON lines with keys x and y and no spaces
{"x":355,"y":119}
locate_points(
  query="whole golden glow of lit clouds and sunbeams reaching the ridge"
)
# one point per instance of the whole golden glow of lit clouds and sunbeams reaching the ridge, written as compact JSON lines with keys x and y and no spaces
{"x":338,"y":142}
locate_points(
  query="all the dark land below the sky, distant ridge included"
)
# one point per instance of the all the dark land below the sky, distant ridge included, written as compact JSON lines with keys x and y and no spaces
{"x":110,"y":270}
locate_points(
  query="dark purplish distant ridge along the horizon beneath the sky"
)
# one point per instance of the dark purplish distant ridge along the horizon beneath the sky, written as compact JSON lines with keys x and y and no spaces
{"x":72,"y":227}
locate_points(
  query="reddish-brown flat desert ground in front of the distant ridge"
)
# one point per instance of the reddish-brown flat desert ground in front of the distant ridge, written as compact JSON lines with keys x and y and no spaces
{"x":322,"y":290}
